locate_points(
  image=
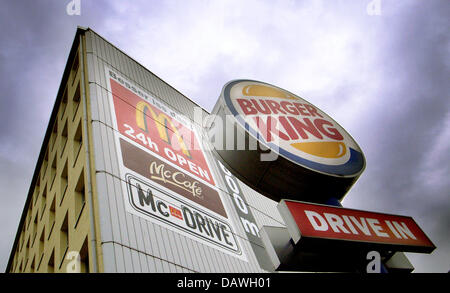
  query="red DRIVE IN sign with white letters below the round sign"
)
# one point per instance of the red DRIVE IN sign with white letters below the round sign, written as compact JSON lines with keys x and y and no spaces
{"x":335,"y":223}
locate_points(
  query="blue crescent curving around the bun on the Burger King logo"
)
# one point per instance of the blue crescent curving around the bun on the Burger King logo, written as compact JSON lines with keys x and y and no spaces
{"x":353,"y":166}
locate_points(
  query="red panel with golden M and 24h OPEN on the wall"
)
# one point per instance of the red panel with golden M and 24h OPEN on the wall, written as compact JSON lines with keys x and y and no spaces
{"x":159,"y":132}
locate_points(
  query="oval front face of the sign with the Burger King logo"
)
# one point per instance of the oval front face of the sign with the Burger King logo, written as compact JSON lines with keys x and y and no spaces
{"x":293,"y":127}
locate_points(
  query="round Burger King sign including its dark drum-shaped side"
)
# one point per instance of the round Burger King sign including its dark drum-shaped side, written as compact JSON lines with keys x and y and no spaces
{"x":316,"y":158}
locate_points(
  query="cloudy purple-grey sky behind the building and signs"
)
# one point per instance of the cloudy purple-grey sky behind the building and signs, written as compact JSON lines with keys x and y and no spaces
{"x":382,"y":73}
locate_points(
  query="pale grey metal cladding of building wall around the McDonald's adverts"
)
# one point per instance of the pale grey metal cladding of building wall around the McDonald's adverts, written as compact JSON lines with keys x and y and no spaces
{"x":133,"y":243}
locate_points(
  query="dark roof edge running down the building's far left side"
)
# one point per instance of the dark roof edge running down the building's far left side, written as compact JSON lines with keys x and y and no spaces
{"x":80,"y":31}
